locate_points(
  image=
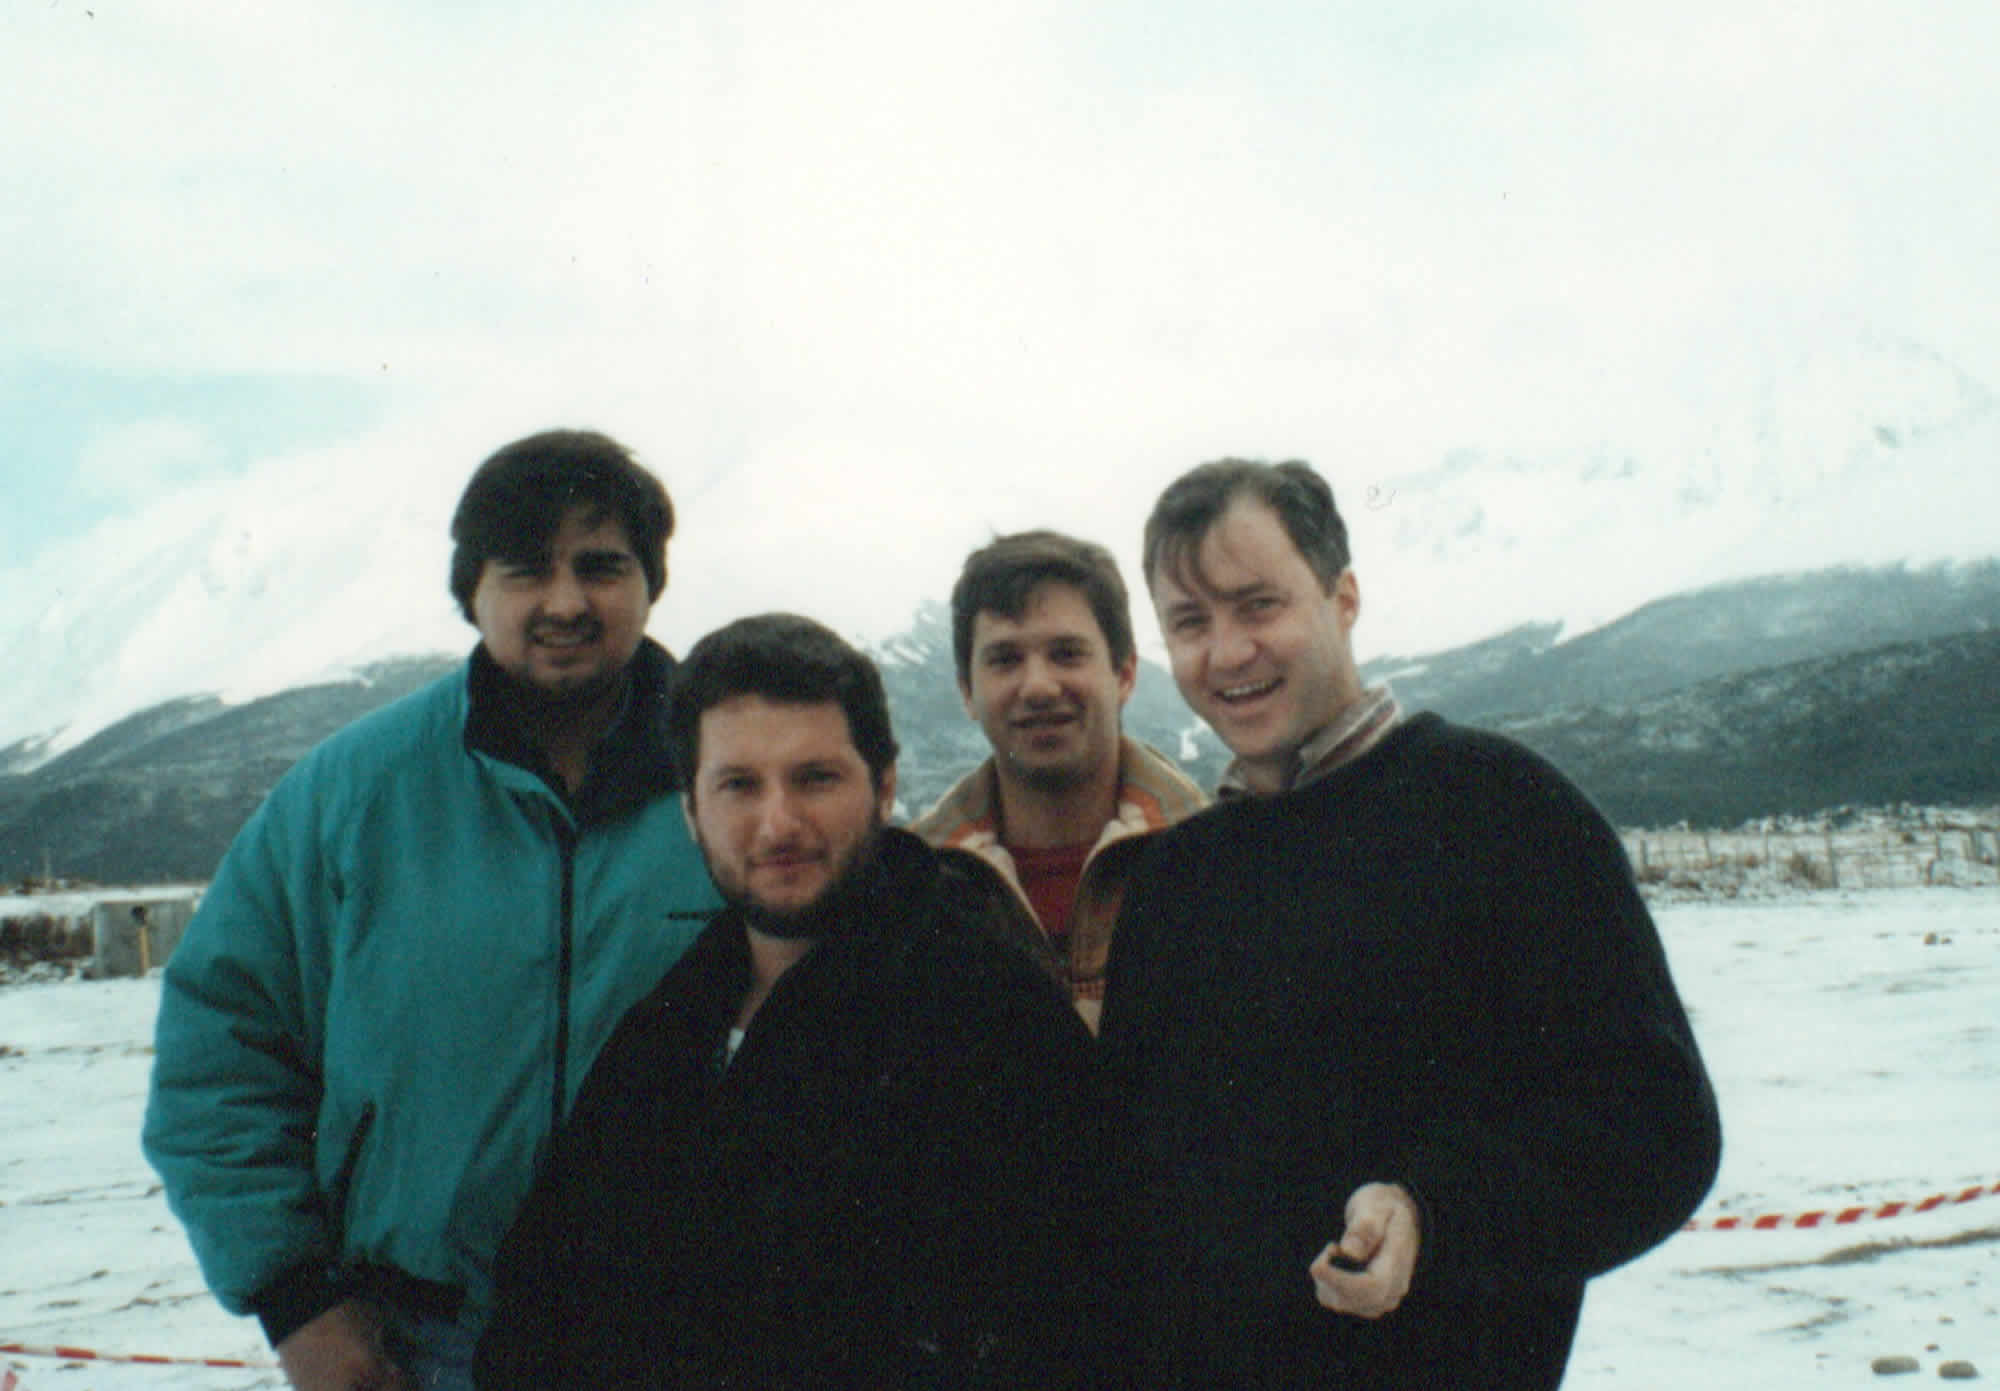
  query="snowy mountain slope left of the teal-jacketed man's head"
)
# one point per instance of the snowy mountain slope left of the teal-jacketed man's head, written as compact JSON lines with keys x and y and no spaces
{"x":235,"y":589}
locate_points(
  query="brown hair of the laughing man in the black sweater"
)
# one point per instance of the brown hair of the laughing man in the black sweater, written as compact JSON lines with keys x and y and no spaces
{"x":1197,"y":501}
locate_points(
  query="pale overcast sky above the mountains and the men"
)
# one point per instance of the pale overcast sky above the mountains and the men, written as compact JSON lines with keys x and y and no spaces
{"x":867,"y":283}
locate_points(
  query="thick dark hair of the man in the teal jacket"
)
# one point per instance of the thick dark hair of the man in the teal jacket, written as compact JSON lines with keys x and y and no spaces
{"x":517,"y":501}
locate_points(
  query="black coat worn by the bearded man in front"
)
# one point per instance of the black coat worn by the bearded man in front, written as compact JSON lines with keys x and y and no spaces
{"x":895,"y":1184}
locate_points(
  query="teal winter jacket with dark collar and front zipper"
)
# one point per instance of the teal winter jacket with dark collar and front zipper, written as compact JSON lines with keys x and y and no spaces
{"x":395,"y":988}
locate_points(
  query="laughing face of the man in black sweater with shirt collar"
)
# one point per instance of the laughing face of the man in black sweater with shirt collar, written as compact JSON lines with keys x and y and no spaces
{"x":1259,"y":647}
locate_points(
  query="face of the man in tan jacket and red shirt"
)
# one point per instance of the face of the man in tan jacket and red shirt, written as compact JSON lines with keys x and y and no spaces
{"x":1045,"y":691}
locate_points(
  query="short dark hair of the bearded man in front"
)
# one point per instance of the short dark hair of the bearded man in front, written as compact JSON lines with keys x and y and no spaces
{"x":783,"y":659}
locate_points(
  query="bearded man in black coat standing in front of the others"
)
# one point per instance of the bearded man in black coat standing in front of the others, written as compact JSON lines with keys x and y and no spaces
{"x":851,"y":1136}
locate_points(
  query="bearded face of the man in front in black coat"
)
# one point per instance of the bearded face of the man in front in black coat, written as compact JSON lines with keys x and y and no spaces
{"x":783,"y":806}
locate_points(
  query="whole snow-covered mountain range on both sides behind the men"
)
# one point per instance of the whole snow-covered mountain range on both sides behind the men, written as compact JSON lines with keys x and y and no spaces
{"x":1857,"y":453}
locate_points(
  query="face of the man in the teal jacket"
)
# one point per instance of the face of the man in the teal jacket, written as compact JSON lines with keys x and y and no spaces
{"x":567,"y":623}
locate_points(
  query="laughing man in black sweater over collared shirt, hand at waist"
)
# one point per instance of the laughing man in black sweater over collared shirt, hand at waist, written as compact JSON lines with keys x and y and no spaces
{"x":1399,"y":1044}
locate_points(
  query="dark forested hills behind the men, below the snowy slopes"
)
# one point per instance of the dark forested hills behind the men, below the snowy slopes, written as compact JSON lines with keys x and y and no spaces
{"x":1777,"y":696}
